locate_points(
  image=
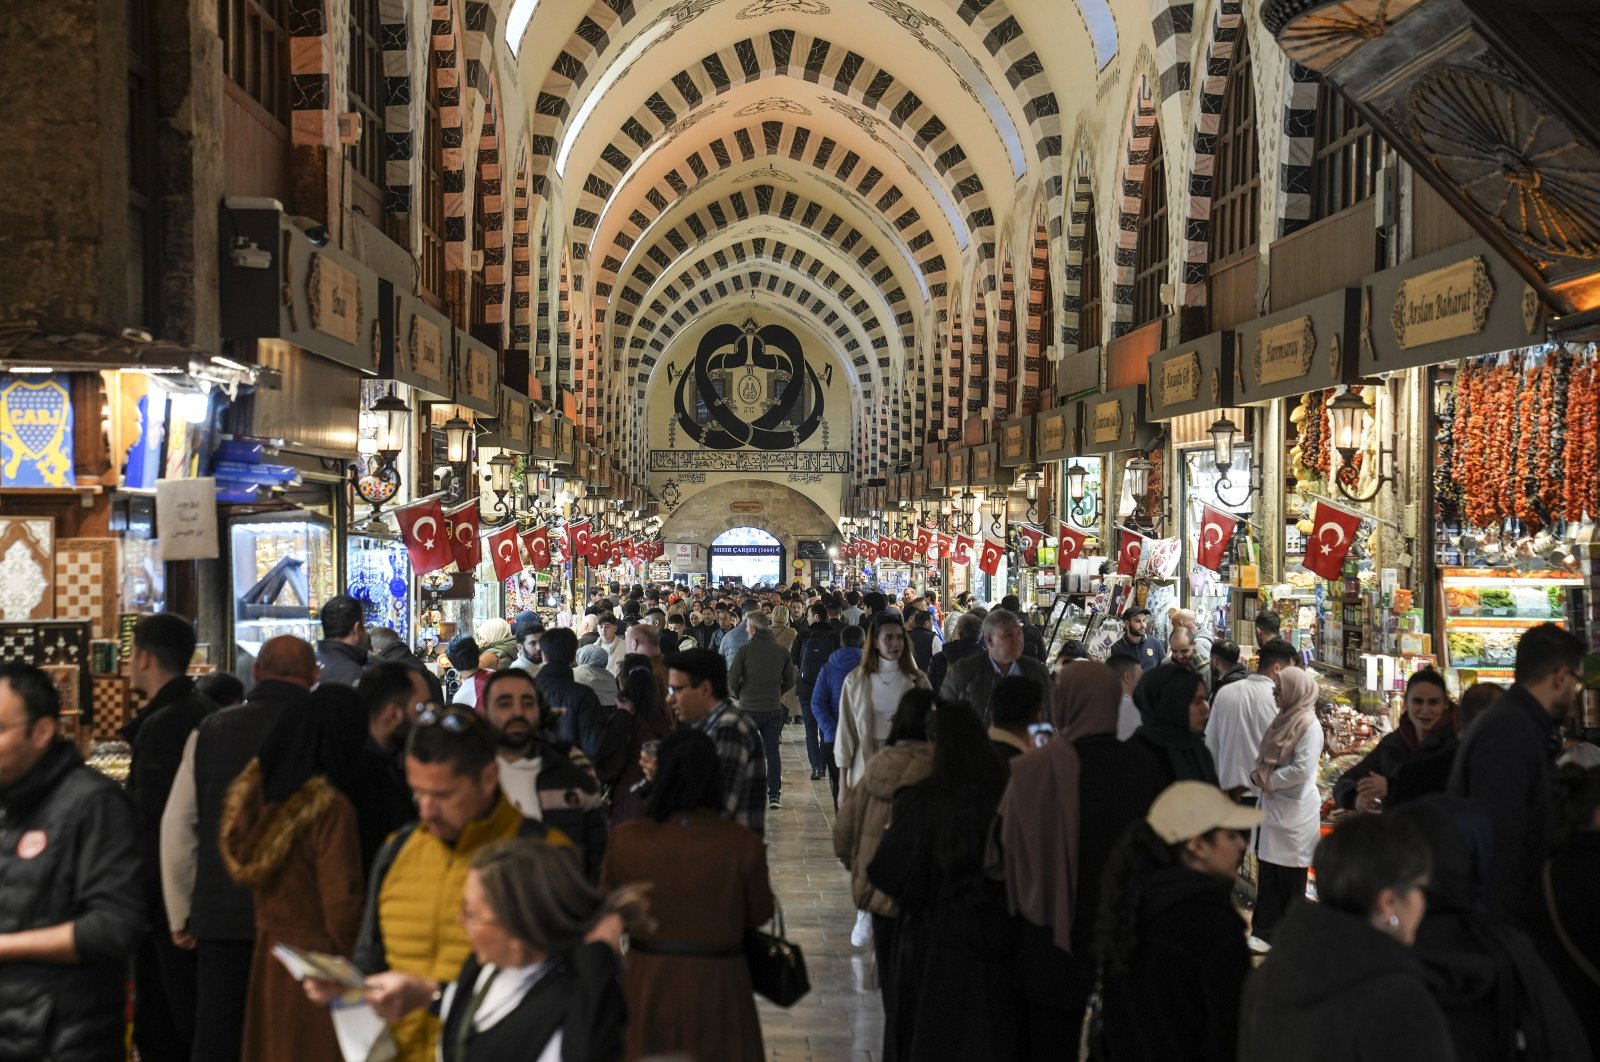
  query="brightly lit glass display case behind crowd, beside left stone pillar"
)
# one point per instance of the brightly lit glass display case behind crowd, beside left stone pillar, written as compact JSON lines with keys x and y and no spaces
{"x":282,"y":575}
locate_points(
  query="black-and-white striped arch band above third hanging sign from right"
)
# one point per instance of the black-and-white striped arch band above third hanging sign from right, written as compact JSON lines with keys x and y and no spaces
{"x":1222,"y":41}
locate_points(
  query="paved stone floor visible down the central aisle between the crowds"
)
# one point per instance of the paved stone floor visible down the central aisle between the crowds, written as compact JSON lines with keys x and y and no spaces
{"x":842,"y":1018}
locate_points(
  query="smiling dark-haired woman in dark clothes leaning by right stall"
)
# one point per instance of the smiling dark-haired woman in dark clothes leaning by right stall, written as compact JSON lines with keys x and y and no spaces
{"x":1410,"y":762}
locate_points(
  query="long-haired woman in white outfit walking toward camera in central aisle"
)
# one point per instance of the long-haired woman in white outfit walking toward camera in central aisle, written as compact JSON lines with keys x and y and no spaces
{"x":871,"y":697}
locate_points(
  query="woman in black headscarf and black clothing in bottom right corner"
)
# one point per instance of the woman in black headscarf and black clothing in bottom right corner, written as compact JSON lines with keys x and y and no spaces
{"x":1498,"y":997}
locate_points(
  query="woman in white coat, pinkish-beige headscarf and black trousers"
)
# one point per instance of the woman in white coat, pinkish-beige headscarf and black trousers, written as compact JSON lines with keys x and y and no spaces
{"x":1287,"y":777}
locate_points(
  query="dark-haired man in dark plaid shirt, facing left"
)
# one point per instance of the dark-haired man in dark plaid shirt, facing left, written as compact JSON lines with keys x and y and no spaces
{"x":698,"y":697}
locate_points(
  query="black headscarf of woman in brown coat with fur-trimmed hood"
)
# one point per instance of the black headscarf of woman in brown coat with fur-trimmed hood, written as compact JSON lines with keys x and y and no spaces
{"x":318,"y":735}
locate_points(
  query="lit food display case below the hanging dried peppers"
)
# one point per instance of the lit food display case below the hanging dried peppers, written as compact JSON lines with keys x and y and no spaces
{"x":1486,"y":610}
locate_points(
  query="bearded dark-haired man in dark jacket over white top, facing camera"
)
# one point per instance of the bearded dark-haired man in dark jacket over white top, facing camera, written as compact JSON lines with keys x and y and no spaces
{"x":538,"y":778}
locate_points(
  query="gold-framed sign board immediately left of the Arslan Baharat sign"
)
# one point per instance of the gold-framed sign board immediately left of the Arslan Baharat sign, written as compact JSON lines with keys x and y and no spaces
{"x":1300,"y":349}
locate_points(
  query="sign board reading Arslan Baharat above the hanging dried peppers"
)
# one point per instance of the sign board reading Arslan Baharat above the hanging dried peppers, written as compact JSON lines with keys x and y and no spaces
{"x":1446,"y":306}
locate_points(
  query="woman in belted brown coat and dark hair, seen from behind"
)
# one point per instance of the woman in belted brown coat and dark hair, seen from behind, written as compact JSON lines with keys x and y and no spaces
{"x":687,"y":986}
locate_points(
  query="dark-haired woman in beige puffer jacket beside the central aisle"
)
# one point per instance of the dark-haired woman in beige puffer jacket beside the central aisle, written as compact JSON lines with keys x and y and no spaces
{"x":905,"y":761}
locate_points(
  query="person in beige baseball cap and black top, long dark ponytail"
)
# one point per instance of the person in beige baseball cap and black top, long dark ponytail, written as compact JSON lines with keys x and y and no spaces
{"x":1172,"y":948}
